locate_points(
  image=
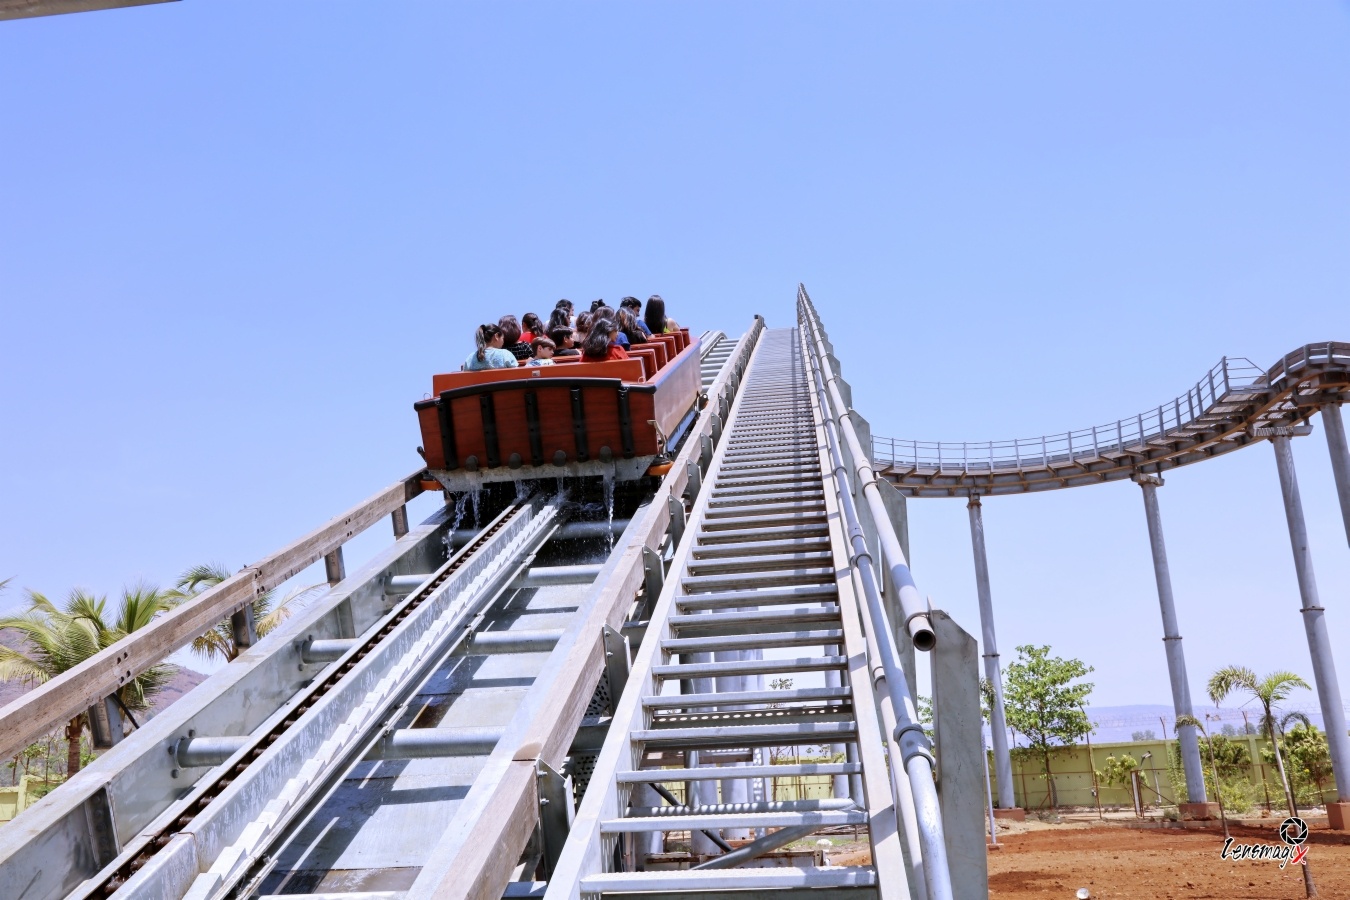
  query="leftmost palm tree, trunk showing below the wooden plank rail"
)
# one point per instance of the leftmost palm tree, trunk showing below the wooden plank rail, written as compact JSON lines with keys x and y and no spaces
{"x":61,"y":638}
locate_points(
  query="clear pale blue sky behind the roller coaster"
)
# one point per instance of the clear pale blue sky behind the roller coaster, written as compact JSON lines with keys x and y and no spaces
{"x":237,"y":238}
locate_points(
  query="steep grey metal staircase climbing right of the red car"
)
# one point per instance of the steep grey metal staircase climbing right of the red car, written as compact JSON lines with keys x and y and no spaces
{"x":763,"y":589}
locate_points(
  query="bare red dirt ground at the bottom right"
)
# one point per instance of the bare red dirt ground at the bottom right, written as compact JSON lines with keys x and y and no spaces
{"x":1117,"y":863}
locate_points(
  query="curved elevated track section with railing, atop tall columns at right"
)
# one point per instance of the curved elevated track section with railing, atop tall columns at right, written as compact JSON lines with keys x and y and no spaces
{"x":1235,"y":404}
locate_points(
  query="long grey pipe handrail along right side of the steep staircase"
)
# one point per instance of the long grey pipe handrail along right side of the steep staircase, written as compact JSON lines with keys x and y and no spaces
{"x":923,"y":805}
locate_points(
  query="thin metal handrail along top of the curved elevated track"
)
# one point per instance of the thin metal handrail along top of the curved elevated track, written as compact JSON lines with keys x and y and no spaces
{"x":1232,"y":380}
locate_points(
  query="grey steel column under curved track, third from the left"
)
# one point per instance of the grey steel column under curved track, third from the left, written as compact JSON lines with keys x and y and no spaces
{"x":1320,"y":643}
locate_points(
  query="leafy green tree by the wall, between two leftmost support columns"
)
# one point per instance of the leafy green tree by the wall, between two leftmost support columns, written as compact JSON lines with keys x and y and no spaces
{"x":1044,"y":701}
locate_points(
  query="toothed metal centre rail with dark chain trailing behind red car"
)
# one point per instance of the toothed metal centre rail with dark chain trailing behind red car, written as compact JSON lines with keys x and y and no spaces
{"x":271,"y":777}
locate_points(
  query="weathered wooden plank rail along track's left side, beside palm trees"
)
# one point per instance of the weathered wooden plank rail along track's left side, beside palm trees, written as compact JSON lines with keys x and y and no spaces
{"x":51,"y":705}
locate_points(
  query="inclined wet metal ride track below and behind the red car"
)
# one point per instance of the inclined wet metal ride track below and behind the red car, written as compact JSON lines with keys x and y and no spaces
{"x":222,"y":793}
